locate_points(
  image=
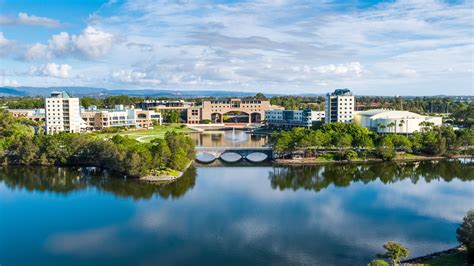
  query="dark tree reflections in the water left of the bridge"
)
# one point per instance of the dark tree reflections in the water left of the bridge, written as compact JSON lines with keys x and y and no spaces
{"x":66,"y":180}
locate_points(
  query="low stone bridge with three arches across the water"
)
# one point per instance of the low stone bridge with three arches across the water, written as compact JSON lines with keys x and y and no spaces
{"x":233,"y":154}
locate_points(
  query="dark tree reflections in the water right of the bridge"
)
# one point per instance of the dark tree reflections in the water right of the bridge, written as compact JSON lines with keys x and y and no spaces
{"x":319,"y":177}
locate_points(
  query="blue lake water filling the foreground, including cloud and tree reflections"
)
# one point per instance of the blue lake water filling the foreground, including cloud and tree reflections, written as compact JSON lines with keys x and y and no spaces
{"x":241,"y":215}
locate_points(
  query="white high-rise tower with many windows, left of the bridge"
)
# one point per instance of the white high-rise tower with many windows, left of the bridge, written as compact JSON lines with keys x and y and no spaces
{"x":63,"y":114}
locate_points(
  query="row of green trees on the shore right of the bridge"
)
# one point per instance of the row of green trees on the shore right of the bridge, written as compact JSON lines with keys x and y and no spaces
{"x":351,"y":141}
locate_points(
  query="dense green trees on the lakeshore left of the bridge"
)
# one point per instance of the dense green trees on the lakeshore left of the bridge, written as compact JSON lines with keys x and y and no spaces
{"x":20,"y":145}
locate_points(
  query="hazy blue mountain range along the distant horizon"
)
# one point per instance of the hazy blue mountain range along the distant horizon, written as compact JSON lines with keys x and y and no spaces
{"x":101,"y":92}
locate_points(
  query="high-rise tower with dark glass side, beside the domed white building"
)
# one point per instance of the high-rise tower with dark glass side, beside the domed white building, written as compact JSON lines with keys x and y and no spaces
{"x":339,"y":106}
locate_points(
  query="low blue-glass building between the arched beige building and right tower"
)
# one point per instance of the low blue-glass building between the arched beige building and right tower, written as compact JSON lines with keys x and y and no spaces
{"x":292,"y":118}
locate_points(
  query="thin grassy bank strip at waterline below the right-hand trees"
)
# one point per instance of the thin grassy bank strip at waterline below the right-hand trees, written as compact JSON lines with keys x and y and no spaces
{"x":399,"y":158}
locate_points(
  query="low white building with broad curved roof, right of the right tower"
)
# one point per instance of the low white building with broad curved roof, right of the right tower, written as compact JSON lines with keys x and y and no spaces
{"x":392,"y":121}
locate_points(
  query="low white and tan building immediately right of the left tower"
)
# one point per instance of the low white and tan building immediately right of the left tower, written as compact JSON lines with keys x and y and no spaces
{"x":98,"y":119}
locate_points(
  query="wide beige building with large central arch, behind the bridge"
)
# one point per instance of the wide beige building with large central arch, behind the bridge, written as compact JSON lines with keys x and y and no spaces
{"x":234,"y":110}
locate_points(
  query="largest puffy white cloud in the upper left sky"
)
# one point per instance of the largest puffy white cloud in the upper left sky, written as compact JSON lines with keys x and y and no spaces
{"x":90,"y":43}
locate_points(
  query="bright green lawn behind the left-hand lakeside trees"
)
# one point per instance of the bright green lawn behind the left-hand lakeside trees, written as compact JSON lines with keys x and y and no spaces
{"x":145,"y":135}
